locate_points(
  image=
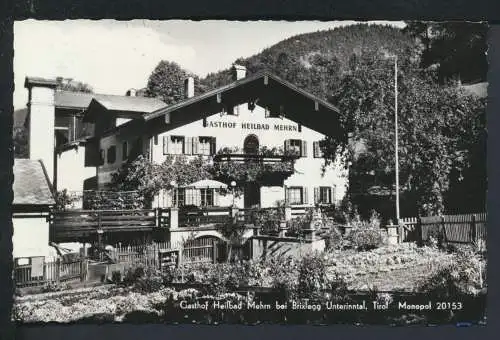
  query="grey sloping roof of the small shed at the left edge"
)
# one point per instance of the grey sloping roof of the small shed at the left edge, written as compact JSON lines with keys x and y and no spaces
{"x":31,"y":184}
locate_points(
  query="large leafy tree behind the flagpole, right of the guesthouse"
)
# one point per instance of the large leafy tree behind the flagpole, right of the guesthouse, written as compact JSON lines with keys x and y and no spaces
{"x":434,"y":124}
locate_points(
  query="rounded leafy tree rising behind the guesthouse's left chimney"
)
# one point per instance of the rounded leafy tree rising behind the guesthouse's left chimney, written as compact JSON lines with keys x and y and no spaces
{"x":167,"y":82}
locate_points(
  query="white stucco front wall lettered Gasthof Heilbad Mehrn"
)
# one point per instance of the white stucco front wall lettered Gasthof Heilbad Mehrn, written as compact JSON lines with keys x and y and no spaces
{"x":231,"y":131}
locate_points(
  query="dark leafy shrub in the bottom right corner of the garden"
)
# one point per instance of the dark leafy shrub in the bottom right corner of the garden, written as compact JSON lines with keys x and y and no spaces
{"x":464,"y":276}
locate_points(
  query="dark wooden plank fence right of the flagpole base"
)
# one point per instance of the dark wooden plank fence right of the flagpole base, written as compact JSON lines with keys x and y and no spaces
{"x":468,"y":228}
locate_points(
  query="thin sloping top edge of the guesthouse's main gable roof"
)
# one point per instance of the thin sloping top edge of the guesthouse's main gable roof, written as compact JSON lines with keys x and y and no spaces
{"x":233,"y":85}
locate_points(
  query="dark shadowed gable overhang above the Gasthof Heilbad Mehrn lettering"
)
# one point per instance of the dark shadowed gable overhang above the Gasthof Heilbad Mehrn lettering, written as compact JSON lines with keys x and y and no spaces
{"x":267,"y":90}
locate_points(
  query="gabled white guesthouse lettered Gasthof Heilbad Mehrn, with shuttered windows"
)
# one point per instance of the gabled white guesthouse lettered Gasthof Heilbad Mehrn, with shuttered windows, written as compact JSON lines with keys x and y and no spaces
{"x":259,"y":118}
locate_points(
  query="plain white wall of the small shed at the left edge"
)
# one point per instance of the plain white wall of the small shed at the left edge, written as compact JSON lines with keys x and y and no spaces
{"x":31,"y":237}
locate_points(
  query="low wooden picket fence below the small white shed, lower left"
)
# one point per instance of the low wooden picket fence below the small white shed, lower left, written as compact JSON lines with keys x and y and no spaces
{"x":37,"y":272}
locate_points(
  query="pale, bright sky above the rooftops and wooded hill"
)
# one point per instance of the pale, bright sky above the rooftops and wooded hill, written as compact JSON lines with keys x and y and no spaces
{"x":114,"y":56}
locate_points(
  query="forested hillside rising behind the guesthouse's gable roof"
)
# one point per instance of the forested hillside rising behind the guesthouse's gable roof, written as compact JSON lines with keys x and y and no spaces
{"x":317,"y":61}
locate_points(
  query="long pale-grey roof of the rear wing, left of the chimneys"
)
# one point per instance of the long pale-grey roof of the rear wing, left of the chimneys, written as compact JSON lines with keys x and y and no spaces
{"x":81,"y":100}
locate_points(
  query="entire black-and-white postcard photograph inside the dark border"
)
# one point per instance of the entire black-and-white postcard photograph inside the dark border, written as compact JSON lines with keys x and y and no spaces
{"x":250,"y":172}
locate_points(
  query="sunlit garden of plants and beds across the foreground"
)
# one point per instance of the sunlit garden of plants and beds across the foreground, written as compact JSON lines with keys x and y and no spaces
{"x":355,"y":269}
